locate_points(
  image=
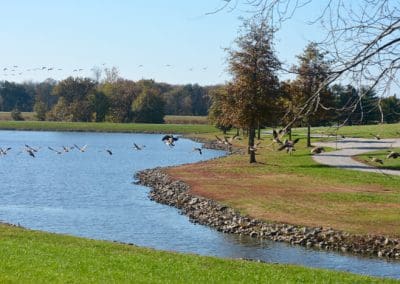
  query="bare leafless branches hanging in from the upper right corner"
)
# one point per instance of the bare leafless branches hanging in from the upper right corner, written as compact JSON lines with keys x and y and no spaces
{"x":362,"y":37}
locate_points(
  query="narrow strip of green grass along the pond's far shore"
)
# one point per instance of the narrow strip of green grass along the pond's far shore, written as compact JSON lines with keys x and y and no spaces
{"x":107,"y":127}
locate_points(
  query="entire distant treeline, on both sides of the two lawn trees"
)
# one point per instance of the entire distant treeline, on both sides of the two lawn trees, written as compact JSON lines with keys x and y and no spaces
{"x":121,"y":100}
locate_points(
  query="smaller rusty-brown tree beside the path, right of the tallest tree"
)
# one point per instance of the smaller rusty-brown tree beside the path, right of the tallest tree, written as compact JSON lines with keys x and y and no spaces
{"x":312,"y":72}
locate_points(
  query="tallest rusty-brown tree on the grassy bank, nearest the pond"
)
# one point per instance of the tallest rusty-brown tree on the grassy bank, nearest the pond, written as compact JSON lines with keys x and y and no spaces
{"x":254,"y":87}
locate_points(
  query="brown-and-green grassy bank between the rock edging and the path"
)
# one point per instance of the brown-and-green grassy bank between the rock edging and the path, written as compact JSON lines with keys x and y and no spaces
{"x":297,"y":190}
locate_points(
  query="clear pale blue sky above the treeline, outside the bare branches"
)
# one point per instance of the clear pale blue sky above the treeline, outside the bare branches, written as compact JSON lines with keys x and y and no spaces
{"x":75,"y":34}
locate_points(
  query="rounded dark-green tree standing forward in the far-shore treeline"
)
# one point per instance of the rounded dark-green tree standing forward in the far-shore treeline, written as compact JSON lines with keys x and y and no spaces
{"x":148,"y":107}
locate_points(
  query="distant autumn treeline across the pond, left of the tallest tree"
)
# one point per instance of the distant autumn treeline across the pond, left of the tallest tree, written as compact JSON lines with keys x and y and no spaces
{"x":118,"y":100}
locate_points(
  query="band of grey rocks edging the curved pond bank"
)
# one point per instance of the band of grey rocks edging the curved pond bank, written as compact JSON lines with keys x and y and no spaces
{"x":208,"y":212}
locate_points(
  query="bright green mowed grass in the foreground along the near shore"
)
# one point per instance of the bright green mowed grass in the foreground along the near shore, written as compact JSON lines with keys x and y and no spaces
{"x":38,"y":257}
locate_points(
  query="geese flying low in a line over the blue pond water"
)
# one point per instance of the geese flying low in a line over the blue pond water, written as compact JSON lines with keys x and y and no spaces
{"x":169,"y":140}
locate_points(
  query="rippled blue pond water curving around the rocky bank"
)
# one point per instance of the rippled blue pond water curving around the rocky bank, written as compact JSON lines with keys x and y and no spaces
{"x":91,"y":195}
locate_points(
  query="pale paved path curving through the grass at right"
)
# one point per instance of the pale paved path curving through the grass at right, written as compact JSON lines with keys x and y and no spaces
{"x":349,"y":147}
